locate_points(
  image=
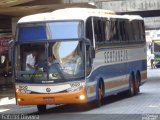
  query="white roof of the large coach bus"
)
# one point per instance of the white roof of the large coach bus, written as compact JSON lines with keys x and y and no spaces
{"x":74,"y":14}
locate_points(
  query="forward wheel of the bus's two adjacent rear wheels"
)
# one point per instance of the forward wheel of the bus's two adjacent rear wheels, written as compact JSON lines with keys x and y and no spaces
{"x":131,"y":91}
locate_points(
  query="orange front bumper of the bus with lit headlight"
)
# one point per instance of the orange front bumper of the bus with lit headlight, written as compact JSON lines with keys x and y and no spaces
{"x":55,"y":98}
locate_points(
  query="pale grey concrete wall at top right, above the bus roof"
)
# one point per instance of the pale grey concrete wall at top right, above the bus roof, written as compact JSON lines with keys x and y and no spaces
{"x":129,"y":5}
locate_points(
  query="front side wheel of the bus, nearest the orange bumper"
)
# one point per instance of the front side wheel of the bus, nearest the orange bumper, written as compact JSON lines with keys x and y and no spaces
{"x":100,"y":95}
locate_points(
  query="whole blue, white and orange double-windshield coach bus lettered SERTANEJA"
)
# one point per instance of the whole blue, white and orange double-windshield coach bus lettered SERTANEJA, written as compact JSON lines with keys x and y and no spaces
{"x":96,"y":54}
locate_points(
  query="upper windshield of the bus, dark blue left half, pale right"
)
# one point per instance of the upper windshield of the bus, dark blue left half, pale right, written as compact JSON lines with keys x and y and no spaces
{"x":50,"y":31}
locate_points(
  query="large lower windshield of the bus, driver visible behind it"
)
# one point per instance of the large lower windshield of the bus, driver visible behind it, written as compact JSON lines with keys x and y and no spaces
{"x":50,"y":61}
